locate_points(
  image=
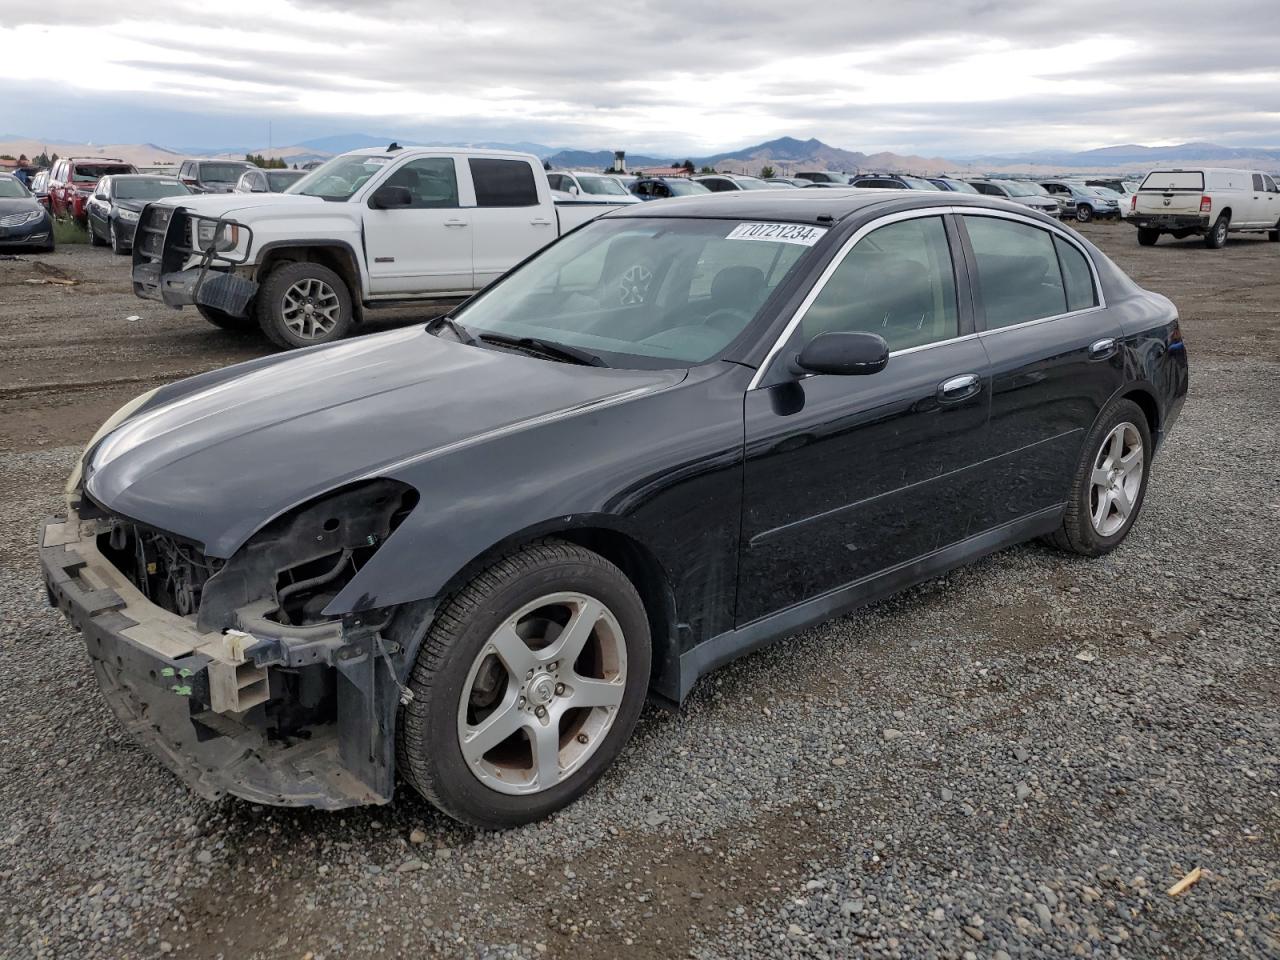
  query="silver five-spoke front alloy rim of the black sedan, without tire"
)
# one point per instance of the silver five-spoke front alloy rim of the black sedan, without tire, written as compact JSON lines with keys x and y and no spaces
{"x":543,"y":693}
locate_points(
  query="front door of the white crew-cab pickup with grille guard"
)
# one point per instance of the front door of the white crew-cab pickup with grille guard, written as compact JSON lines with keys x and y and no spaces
{"x":424,"y":248}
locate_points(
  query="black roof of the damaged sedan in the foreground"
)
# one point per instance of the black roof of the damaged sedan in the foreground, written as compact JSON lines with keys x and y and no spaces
{"x":819,"y":207}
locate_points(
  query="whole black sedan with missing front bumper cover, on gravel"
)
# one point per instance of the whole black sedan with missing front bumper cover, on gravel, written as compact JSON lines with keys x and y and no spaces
{"x":465,"y":554}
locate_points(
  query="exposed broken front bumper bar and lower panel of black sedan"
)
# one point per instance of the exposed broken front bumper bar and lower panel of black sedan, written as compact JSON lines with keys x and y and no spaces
{"x":185,"y":696}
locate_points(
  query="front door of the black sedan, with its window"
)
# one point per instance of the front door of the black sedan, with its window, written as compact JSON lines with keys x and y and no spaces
{"x":851,"y":477}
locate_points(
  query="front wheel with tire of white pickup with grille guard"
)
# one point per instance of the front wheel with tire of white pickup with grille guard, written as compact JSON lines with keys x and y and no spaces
{"x":303,"y":305}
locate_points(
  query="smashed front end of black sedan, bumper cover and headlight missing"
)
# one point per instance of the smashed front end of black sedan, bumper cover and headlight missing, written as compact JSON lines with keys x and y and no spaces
{"x":231,"y":671}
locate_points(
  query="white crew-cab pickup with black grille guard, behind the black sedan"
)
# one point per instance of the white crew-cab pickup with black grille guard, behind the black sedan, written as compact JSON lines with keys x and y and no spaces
{"x":368,"y":228}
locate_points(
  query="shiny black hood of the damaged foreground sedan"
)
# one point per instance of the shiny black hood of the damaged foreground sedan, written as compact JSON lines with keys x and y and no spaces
{"x":216,"y":458}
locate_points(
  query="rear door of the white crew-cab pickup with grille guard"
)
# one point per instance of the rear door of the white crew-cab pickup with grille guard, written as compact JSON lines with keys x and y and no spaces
{"x":511,"y":218}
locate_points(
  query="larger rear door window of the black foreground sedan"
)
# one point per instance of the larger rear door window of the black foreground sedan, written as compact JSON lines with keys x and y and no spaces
{"x":1020,"y":277}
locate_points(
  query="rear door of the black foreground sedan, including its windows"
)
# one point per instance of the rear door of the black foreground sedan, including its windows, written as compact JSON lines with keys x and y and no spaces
{"x":1055,"y":359}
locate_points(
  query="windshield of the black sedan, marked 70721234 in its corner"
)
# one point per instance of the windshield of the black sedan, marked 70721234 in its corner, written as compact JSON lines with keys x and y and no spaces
{"x":644,"y":292}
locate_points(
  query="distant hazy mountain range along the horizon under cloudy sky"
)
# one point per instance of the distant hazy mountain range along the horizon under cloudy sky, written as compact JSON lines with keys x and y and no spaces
{"x":785,"y":156}
